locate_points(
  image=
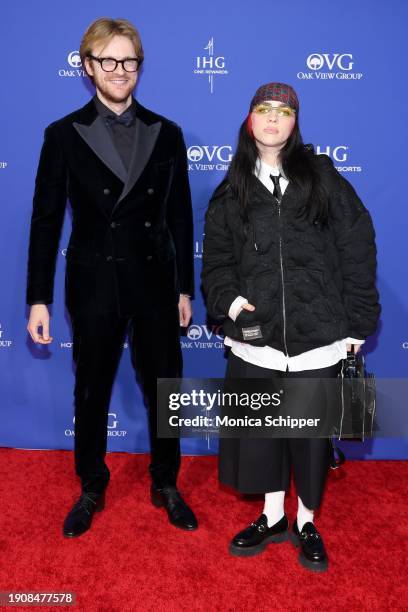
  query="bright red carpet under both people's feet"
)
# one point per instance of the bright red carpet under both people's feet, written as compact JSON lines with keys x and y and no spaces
{"x":133,"y":559}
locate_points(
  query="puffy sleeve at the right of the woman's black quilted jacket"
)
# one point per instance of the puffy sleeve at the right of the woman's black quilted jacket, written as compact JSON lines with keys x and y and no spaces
{"x":355,"y":241}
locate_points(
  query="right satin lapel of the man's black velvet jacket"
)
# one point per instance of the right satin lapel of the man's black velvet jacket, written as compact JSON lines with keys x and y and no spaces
{"x":143,"y":145}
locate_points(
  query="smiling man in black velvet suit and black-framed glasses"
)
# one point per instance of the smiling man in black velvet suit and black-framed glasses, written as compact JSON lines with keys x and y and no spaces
{"x":129,"y":257}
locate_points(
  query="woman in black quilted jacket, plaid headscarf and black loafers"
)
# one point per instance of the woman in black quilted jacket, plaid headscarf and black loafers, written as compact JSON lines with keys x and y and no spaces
{"x":289,"y":264}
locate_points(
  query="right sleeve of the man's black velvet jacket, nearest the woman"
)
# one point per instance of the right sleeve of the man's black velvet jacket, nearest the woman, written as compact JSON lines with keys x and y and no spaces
{"x":179,"y":217}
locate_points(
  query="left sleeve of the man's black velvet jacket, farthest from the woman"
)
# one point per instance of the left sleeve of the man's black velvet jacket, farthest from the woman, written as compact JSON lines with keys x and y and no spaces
{"x":49,"y":203}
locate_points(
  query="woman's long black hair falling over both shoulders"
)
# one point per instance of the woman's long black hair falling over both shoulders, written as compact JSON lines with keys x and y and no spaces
{"x":298,"y":164}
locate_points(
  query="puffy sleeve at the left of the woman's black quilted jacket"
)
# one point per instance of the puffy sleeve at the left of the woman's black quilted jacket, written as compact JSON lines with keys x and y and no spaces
{"x":219,"y":275}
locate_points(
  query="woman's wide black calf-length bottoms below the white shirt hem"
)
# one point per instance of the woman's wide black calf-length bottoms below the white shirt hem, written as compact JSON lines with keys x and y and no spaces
{"x":263,"y":465}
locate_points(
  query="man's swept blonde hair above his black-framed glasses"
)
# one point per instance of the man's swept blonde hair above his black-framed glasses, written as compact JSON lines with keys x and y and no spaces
{"x":105,"y":28}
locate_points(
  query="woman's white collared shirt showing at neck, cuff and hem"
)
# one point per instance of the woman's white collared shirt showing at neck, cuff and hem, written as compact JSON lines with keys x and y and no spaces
{"x":266,"y":356}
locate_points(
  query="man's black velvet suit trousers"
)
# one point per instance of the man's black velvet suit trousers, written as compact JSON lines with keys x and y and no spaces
{"x":97,"y":346}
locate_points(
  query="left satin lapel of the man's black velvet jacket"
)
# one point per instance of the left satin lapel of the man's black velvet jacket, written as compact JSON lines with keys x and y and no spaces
{"x":95,"y":133}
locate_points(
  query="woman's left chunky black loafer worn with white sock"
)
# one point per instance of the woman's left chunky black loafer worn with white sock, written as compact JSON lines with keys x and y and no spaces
{"x":255,"y":538}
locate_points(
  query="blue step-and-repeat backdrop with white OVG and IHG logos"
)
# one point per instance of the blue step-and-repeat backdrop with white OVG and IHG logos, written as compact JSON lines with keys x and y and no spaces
{"x":204,"y":61}
